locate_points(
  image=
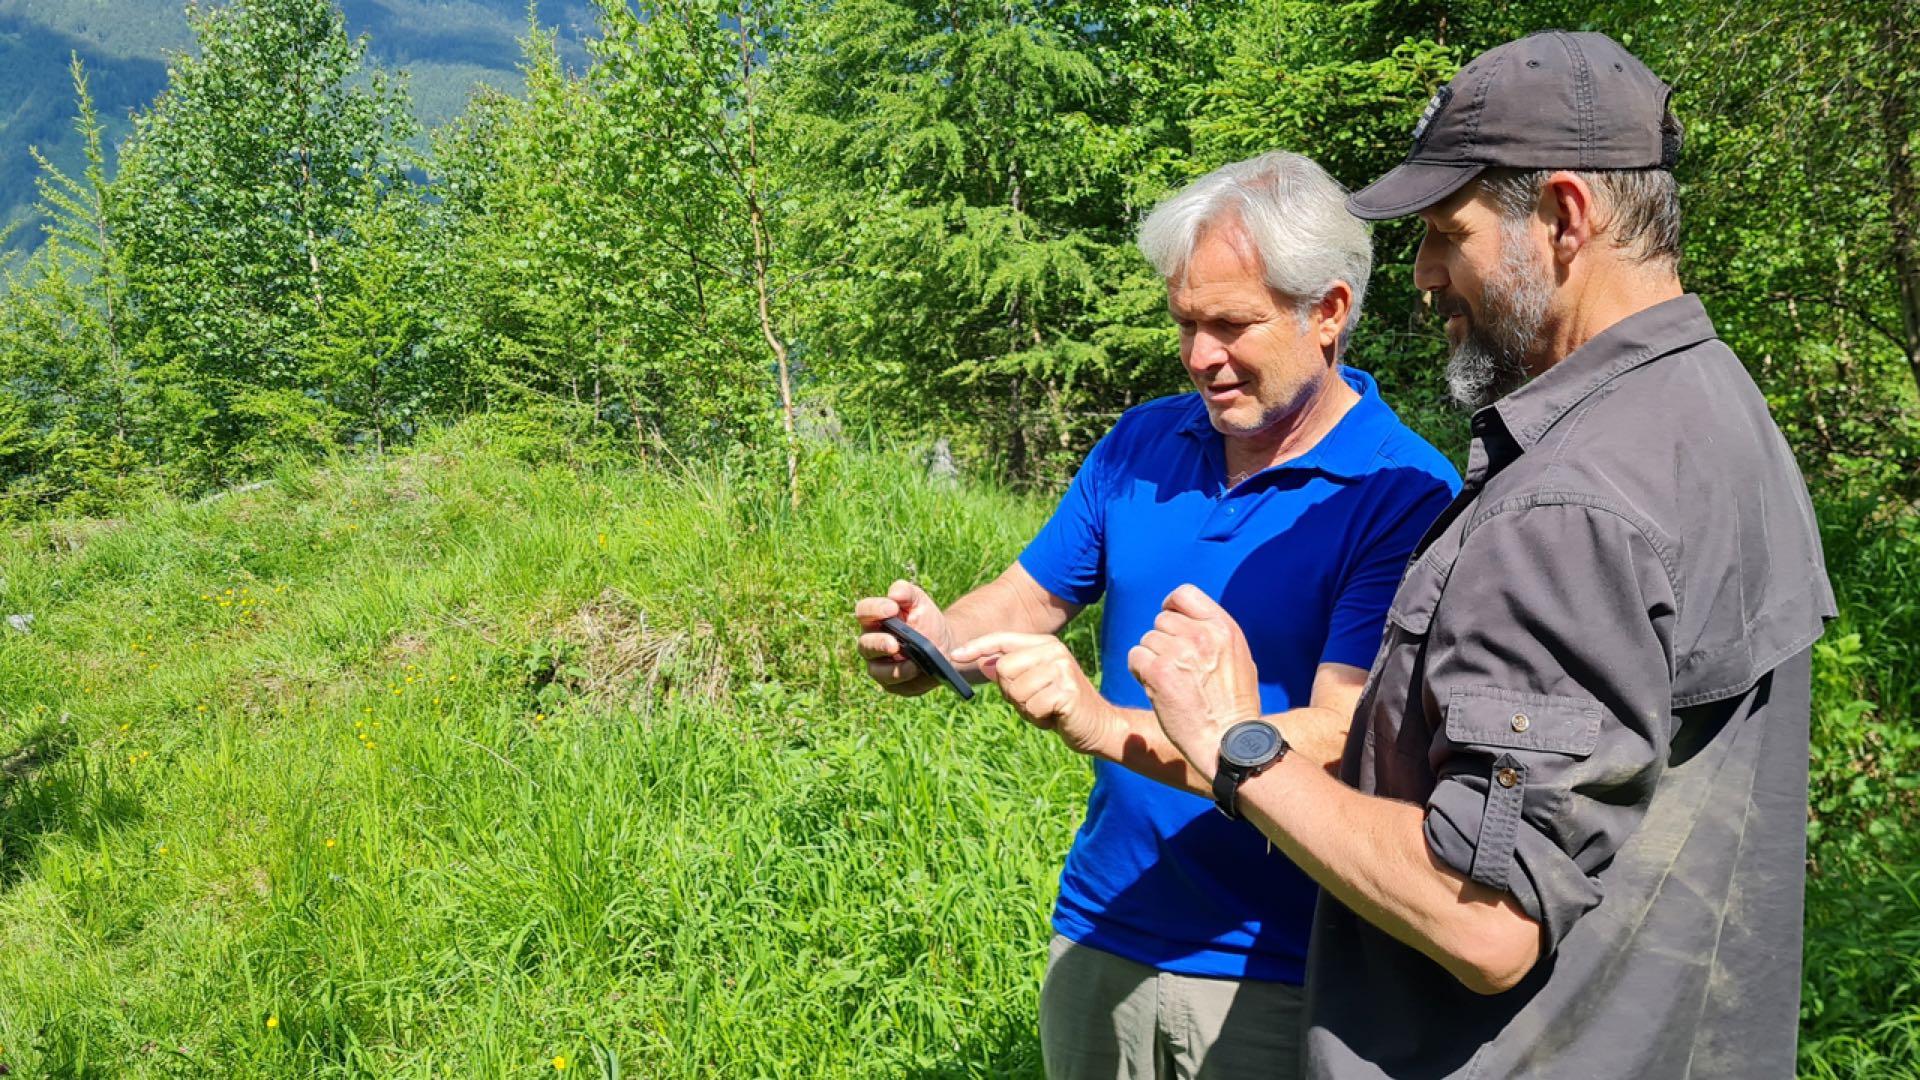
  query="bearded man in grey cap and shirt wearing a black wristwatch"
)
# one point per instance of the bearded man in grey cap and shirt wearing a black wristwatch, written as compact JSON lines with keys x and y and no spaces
{"x":1572,"y":837}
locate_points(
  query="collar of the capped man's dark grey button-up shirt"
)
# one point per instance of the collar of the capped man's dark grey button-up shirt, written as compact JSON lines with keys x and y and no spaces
{"x":1648,"y":335}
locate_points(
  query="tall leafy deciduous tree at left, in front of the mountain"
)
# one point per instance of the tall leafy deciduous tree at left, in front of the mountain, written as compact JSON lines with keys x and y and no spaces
{"x":251,"y":203}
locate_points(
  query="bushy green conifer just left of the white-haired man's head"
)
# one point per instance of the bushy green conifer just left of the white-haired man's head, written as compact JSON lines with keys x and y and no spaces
{"x":976,"y":172}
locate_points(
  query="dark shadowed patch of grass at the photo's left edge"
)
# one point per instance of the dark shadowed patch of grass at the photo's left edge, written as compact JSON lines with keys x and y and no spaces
{"x":45,"y":791}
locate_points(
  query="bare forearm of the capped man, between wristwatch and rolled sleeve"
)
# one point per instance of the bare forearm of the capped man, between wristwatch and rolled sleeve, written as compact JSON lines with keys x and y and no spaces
{"x":1372,"y":856}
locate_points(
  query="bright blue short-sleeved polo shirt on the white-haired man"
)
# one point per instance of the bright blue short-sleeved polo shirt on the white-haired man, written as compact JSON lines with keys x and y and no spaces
{"x":1307,"y":558}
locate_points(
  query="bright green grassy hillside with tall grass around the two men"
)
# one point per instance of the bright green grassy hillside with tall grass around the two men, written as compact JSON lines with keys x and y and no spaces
{"x":456,"y":766}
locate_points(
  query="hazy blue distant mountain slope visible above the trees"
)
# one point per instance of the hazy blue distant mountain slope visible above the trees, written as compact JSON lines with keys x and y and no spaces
{"x":448,"y":47}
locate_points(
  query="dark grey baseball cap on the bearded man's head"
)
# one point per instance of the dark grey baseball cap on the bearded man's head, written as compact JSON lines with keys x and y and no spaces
{"x":1548,"y":101}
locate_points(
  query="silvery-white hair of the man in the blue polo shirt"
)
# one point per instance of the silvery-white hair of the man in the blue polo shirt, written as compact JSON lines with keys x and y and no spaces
{"x":1289,"y":209}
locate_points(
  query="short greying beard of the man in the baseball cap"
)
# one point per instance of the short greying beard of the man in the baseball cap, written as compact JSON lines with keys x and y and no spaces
{"x":1493,"y":360}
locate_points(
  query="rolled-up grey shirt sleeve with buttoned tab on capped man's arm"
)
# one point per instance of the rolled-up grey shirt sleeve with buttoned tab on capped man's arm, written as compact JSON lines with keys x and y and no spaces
{"x":1550,"y":664}
